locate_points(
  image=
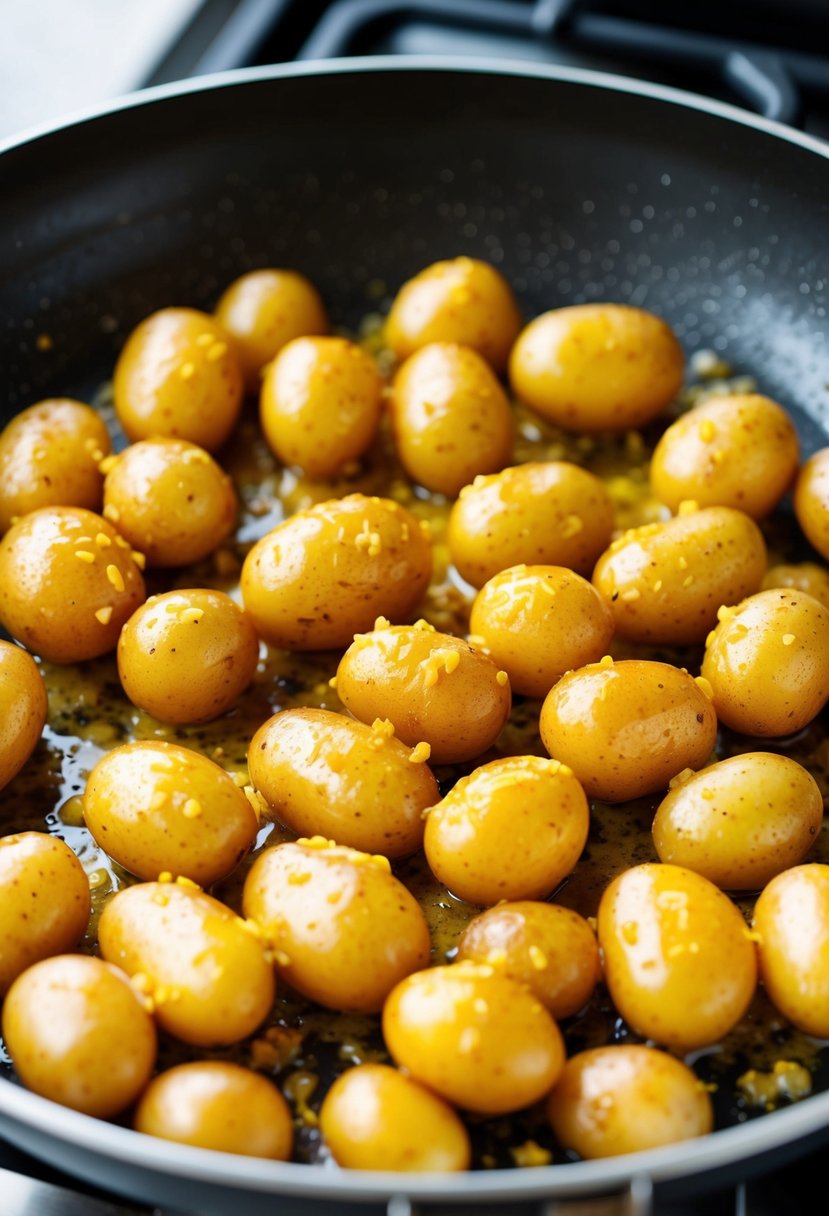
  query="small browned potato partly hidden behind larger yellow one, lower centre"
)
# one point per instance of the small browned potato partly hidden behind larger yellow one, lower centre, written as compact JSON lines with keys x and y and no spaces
{"x":548,"y":948}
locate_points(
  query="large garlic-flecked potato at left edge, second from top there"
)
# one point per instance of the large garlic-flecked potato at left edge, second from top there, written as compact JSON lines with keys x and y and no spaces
{"x":69,"y":582}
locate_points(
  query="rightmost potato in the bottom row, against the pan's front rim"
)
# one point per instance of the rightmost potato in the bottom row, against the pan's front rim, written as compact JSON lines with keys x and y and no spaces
{"x":628,"y":1099}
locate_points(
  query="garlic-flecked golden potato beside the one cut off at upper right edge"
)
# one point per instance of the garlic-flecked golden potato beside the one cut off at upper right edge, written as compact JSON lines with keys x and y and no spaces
{"x":740,"y":451}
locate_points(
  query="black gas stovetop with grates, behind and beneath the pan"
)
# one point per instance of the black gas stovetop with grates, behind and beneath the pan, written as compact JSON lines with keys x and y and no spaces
{"x":771,"y":57}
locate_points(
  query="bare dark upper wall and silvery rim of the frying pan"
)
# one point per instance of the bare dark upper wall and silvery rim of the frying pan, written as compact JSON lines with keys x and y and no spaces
{"x":579,"y":187}
